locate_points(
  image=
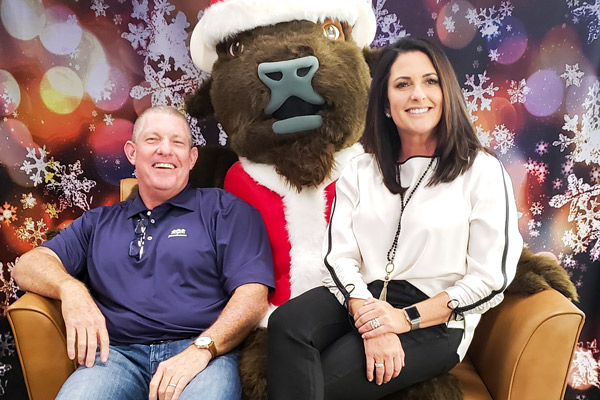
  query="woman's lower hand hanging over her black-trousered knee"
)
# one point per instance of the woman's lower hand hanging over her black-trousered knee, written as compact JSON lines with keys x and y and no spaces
{"x":385,"y":357}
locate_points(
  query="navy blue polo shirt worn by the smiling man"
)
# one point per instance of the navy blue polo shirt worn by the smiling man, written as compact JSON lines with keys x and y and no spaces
{"x":199,"y":246}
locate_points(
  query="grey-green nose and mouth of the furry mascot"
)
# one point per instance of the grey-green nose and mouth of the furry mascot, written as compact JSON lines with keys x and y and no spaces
{"x":294,"y":102}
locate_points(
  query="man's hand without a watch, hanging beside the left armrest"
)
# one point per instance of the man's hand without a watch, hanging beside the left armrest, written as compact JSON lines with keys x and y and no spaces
{"x":85,"y":324}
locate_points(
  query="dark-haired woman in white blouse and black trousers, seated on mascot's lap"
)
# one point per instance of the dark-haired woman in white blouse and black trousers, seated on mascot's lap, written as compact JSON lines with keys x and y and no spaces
{"x":422,"y":240}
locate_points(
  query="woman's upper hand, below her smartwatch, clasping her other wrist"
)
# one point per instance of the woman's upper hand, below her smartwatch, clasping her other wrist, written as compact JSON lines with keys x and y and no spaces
{"x":387,"y":319}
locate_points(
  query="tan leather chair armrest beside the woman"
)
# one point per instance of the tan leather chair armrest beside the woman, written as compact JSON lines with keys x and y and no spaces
{"x":523,"y":348}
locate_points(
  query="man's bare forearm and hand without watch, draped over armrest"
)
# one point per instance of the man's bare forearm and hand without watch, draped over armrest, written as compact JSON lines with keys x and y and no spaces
{"x":41,"y":271}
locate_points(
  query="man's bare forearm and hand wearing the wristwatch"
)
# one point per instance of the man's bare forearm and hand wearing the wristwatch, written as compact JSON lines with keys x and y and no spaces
{"x":240,"y":316}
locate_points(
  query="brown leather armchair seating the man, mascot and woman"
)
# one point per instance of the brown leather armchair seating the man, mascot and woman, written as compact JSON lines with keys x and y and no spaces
{"x":522,"y":348}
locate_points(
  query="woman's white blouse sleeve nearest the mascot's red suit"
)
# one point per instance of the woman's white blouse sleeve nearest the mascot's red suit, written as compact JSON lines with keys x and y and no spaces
{"x":340,"y":249}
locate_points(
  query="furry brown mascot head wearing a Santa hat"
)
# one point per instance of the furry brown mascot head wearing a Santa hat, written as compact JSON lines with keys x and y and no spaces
{"x":289,"y":79}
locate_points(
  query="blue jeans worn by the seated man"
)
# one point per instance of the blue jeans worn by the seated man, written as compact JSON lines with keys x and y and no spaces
{"x":129,"y":369}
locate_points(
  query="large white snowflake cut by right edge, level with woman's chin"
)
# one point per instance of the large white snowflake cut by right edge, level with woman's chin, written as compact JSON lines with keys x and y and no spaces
{"x":587,"y":134}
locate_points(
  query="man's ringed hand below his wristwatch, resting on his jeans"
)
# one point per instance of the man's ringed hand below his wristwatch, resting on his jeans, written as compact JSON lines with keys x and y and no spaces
{"x":174,"y":374}
